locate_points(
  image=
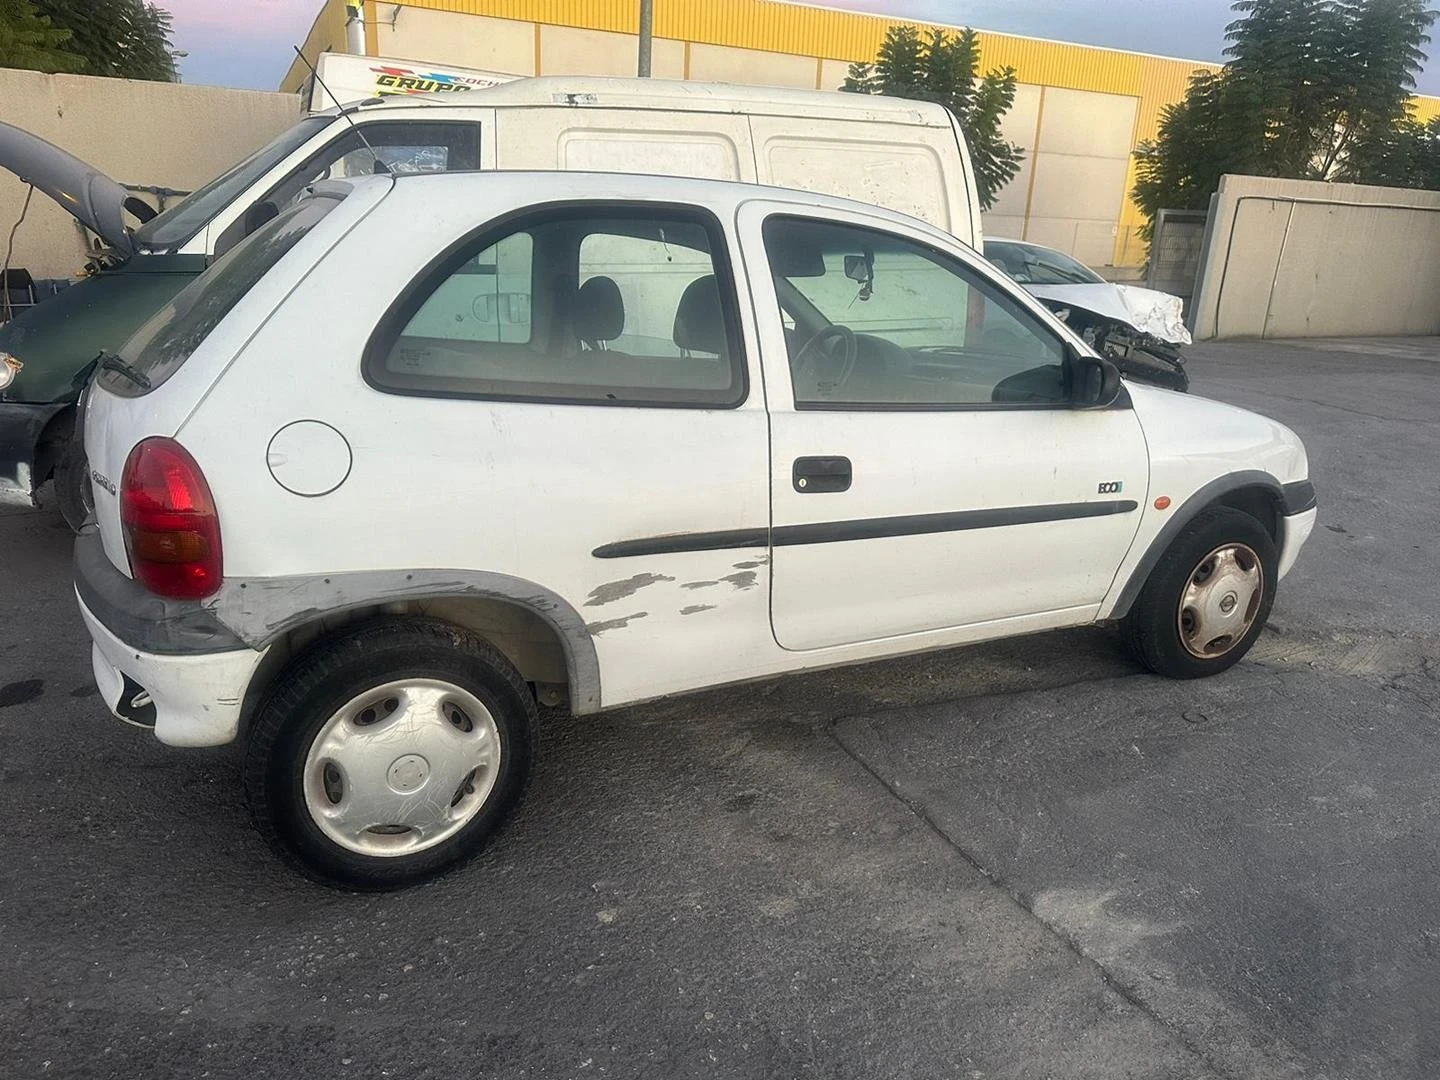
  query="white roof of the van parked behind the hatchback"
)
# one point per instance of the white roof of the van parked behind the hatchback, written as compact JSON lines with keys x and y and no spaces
{"x":685,"y":97}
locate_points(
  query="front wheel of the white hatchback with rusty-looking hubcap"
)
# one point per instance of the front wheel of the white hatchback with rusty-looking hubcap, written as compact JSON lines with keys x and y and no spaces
{"x":1207,"y":600}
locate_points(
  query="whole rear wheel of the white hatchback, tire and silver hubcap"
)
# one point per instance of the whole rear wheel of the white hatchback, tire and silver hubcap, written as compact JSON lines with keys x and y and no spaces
{"x":390,"y":754}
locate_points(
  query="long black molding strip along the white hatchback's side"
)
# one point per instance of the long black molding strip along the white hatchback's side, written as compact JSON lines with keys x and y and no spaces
{"x":865,"y":529}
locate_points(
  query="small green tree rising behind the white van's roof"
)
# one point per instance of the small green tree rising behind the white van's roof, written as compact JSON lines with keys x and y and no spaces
{"x":942,"y":68}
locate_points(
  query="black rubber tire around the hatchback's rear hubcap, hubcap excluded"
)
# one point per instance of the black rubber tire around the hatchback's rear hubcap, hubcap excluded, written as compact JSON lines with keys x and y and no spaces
{"x":333,"y":673}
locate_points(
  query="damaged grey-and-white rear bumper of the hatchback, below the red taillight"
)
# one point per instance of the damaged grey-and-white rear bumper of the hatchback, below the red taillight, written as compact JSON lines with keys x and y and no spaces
{"x":162,"y":665}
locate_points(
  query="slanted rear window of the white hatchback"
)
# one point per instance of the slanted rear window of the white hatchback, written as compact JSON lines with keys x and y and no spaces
{"x":166,"y":341}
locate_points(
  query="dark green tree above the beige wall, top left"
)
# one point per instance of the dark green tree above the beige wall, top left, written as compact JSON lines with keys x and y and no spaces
{"x":125,"y":40}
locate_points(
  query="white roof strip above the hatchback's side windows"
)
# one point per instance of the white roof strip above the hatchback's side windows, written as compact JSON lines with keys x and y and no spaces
{"x":721,"y":197}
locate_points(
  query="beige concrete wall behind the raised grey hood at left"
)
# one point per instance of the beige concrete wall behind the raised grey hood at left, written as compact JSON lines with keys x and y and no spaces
{"x":139,"y":133}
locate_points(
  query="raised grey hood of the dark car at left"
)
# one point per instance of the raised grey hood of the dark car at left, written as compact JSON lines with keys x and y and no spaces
{"x":94,"y":199}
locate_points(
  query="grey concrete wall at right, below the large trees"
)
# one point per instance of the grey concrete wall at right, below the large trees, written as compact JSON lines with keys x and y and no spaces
{"x":1302,"y":258}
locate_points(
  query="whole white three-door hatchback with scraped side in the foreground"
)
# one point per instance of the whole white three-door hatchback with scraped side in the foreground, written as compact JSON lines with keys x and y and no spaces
{"x":424,"y":451}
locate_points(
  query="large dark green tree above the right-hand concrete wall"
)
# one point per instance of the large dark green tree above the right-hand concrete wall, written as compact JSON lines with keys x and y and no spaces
{"x":1313,"y":90}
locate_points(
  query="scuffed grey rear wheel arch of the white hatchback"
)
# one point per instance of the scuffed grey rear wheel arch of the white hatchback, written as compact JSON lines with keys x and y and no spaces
{"x":541,"y":633}
